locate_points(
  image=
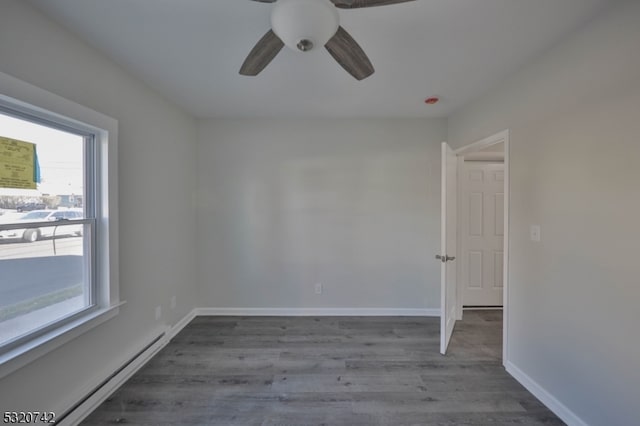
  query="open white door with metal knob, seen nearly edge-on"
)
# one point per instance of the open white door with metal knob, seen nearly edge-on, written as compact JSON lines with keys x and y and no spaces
{"x":448,"y":246}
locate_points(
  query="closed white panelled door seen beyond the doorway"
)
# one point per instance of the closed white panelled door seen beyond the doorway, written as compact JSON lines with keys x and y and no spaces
{"x":481,"y":233}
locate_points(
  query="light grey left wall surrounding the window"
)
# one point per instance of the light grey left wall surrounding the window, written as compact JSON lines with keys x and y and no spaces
{"x":157,"y":181}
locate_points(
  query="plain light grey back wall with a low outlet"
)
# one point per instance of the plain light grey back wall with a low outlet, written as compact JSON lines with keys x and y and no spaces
{"x":353,"y":204}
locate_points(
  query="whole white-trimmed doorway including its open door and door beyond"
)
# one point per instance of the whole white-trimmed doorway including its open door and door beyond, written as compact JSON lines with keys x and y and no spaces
{"x":478,"y":204}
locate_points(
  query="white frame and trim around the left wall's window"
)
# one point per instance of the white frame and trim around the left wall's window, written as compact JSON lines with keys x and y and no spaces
{"x":25,"y":98}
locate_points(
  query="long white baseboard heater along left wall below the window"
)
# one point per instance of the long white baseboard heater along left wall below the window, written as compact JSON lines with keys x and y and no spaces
{"x":134,"y":363}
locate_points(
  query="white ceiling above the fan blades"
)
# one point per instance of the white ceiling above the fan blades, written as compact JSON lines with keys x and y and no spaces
{"x":191,"y":51}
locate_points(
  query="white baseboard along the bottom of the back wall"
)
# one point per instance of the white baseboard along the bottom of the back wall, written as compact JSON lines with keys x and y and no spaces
{"x":320,"y":312}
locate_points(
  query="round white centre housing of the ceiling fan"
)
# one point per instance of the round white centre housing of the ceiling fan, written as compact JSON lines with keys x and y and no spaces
{"x":304,"y":24}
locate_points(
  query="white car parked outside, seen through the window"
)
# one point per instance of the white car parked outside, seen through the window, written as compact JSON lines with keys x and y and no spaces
{"x":48,"y":216}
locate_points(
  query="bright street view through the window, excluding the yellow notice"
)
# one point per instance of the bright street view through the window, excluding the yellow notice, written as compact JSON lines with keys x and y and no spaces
{"x":46,"y":233}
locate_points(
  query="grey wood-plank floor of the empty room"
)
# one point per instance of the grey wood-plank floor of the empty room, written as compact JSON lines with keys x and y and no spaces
{"x":327,"y":371}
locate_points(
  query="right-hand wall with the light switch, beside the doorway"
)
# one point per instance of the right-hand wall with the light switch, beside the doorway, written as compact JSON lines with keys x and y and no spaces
{"x":574,"y":117}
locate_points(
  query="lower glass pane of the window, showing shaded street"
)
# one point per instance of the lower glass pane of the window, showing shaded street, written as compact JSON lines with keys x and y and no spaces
{"x":43,"y":281}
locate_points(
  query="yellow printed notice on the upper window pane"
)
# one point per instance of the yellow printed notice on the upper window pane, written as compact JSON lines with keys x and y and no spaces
{"x":17,"y":164}
